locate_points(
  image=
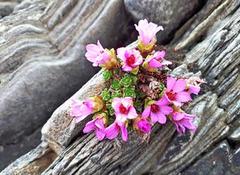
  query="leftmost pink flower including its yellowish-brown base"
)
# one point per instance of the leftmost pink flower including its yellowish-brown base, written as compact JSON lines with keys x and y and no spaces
{"x":81,"y":109}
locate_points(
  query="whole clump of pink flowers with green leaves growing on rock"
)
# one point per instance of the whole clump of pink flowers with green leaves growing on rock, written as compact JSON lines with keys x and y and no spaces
{"x":140,"y":91}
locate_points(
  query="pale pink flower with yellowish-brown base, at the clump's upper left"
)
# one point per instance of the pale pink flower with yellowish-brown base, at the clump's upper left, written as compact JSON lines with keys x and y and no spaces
{"x":100,"y":56}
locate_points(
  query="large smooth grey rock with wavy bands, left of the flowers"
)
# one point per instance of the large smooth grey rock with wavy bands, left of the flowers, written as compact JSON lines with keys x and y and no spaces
{"x":42,"y":59}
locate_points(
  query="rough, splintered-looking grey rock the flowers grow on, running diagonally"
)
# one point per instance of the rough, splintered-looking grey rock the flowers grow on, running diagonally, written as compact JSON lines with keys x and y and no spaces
{"x":214,"y":53}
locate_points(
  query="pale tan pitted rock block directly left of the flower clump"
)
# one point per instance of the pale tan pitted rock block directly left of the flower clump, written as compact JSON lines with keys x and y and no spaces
{"x":60,"y":129}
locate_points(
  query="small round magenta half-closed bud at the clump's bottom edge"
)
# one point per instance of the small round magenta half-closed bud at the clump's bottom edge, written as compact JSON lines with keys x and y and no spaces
{"x":143,"y":125}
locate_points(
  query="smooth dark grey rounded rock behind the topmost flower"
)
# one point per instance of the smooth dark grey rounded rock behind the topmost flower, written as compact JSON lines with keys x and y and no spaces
{"x":168,"y":13}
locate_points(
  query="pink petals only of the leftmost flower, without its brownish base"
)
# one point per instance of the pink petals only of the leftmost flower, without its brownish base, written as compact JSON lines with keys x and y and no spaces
{"x":81,"y":109}
